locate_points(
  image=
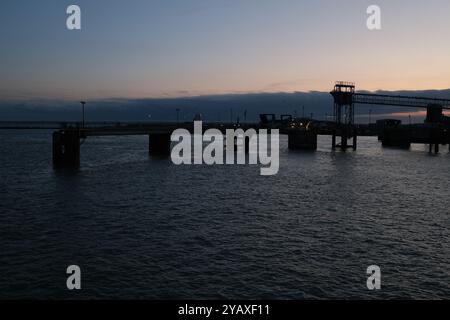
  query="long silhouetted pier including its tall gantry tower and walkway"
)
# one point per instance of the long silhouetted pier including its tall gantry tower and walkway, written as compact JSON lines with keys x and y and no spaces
{"x":302,"y":132}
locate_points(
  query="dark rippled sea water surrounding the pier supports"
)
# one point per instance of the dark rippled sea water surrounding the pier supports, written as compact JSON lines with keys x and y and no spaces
{"x":141,"y":227}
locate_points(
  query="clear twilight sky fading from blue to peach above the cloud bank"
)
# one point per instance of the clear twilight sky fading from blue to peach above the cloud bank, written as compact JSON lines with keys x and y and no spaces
{"x":172,"y":48}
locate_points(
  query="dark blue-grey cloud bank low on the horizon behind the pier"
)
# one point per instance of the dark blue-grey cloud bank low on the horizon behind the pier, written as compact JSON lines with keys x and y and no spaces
{"x":224,"y":107}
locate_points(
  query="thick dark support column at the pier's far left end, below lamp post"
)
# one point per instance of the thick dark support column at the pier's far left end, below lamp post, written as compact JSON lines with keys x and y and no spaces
{"x":66,"y":148}
